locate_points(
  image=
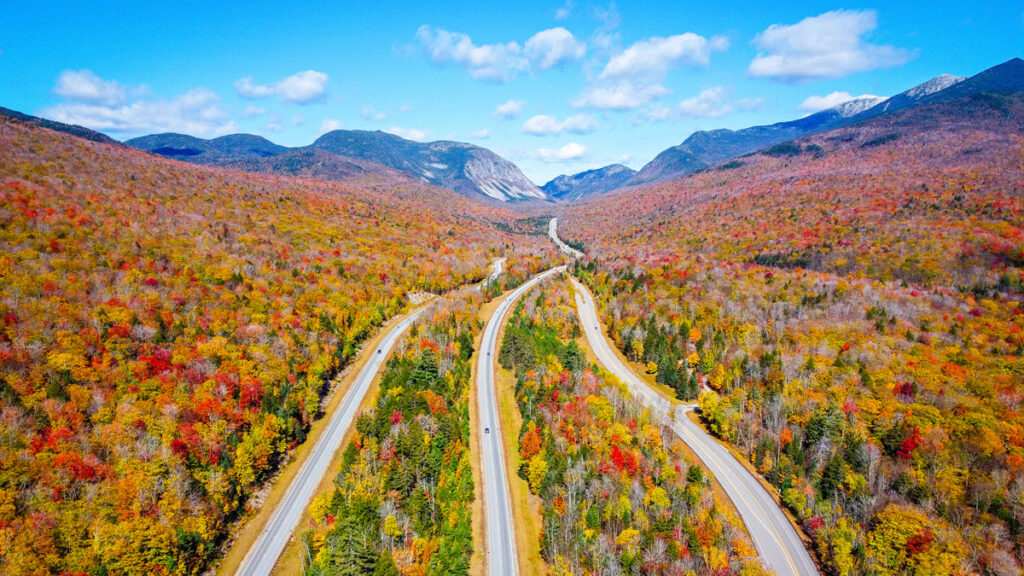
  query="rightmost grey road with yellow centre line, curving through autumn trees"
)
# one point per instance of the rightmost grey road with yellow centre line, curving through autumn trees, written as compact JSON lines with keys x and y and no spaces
{"x":775,"y":538}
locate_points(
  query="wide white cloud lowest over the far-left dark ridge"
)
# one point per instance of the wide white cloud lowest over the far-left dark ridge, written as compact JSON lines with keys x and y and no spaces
{"x":198,"y":112}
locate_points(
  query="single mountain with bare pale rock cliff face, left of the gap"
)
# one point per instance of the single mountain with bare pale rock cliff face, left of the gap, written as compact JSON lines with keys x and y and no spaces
{"x":468,"y":170}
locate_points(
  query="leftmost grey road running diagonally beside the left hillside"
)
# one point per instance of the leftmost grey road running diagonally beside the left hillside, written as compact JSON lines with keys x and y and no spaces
{"x":265,"y":554}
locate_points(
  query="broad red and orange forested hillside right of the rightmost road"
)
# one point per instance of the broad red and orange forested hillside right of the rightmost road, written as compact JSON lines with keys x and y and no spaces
{"x":854,"y":303}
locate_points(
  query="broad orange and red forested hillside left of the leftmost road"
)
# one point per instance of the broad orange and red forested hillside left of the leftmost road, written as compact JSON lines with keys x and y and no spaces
{"x":167,"y":333}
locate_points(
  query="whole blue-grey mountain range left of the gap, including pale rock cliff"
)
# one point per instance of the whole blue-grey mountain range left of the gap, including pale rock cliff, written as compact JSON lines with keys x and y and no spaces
{"x":473,"y":172}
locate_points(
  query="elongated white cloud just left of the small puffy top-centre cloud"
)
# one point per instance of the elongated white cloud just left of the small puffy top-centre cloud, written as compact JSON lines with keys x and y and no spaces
{"x":489,"y":62}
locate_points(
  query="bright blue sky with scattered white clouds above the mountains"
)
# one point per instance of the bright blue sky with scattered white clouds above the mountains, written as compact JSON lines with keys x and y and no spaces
{"x":557,"y":88}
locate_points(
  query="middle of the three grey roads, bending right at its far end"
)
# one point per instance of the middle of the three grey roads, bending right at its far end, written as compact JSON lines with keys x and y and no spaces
{"x":501,"y":553}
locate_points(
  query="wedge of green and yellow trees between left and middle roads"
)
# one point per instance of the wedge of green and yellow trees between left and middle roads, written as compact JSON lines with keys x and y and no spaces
{"x":403,"y":497}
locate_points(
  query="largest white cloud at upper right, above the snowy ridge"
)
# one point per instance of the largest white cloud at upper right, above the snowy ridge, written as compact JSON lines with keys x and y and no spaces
{"x":830,"y":46}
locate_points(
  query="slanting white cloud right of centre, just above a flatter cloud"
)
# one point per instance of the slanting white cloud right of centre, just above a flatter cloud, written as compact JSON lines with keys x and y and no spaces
{"x":654,"y":58}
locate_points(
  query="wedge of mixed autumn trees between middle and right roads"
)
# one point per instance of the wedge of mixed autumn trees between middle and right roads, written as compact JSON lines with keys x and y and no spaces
{"x":619,"y":495}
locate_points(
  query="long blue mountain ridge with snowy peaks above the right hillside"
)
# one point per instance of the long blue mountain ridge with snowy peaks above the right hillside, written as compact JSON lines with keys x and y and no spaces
{"x":703,"y":149}
